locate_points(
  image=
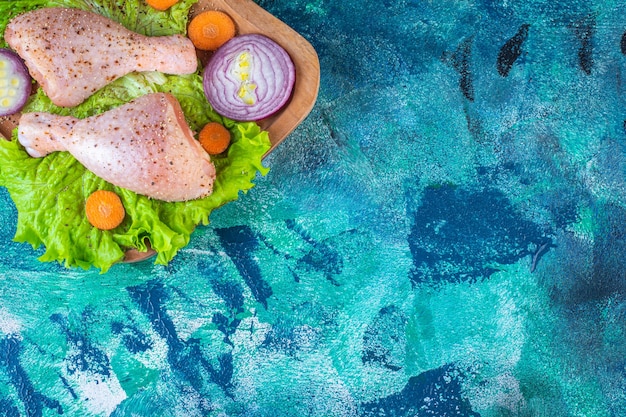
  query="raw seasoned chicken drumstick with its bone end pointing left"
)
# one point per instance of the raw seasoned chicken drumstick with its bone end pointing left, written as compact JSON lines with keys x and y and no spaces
{"x":145,"y":146}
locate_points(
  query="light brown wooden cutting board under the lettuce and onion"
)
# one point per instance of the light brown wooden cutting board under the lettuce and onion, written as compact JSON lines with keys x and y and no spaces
{"x":251,"y":18}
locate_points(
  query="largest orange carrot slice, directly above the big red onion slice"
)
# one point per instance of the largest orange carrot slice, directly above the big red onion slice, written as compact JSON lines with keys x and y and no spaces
{"x":211,"y":29}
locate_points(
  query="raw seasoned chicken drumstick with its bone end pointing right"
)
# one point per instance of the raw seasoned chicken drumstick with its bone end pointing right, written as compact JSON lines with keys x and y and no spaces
{"x":72,"y":53}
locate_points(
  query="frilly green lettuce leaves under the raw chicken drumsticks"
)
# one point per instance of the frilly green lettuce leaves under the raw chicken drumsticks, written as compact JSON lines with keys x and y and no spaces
{"x":49,"y":192}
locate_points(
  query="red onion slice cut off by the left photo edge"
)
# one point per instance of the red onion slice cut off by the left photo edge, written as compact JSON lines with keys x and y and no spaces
{"x":15,"y":83}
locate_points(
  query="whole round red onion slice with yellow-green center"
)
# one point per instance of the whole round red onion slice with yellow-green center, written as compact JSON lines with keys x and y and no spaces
{"x":250,"y":77}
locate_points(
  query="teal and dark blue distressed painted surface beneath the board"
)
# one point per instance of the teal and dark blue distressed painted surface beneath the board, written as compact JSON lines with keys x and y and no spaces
{"x":443,"y":236}
